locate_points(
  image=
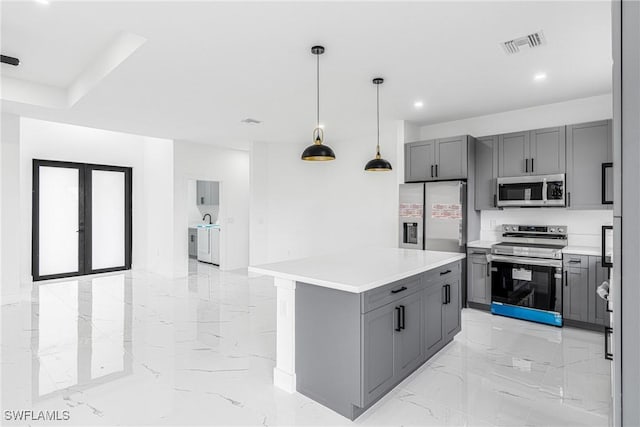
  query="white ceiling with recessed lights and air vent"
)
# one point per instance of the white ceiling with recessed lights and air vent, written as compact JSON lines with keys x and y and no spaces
{"x":207,"y":65}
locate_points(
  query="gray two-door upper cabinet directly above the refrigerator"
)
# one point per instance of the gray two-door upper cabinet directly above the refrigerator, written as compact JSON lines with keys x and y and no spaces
{"x":437,"y":159}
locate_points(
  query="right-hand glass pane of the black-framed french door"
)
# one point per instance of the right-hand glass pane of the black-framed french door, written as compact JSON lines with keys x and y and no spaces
{"x":108,"y":214}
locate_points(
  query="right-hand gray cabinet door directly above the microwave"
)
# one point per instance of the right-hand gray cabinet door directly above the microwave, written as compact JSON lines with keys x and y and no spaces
{"x":547,"y":151}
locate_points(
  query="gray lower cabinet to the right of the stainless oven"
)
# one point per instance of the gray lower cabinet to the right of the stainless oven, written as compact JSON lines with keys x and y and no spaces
{"x":581,"y":304}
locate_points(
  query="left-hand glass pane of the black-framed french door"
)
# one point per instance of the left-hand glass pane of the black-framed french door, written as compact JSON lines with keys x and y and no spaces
{"x":58,"y":220}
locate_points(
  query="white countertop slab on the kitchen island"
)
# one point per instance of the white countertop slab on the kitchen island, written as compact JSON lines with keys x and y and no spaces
{"x":358,"y":270}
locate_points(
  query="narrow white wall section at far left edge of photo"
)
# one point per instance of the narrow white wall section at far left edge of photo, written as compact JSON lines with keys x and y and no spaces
{"x":10,"y":207}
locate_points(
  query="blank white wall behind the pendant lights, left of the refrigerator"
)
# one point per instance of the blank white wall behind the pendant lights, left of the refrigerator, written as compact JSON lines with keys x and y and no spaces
{"x":303,"y":208}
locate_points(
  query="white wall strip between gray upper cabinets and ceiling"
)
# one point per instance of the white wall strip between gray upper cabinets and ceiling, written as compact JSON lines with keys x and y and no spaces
{"x":561,"y":113}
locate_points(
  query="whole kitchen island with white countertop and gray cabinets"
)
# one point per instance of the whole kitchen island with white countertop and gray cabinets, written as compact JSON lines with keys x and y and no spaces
{"x":351,"y":325}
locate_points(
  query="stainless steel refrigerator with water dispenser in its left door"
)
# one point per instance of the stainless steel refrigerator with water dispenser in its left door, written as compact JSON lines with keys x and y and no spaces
{"x":432,"y":216}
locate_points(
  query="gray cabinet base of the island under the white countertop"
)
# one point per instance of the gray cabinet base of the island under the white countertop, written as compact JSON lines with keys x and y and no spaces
{"x":351,"y":349}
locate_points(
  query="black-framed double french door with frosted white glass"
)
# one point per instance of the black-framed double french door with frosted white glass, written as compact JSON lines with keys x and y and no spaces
{"x":81,"y":219}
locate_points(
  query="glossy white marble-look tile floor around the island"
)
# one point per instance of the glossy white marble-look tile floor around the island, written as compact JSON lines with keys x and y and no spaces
{"x":136,"y":349}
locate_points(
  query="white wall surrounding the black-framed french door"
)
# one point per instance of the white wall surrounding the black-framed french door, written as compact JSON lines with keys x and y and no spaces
{"x":151,"y":160}
